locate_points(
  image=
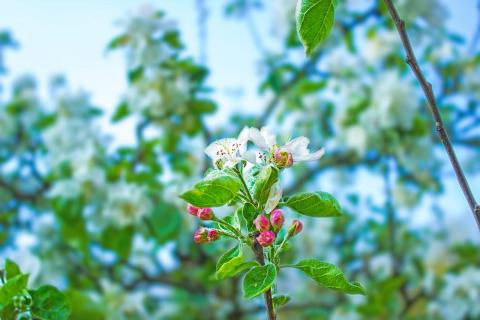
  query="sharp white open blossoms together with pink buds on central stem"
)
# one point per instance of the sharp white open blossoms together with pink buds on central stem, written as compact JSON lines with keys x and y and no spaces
{"x":229,"y":152}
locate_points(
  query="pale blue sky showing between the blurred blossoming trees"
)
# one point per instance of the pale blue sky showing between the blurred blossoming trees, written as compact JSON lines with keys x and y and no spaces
{"x":70,"y":37}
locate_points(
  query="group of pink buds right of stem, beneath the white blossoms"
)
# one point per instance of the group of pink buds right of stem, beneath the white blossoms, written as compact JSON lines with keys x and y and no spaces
{"x":270,"y":226}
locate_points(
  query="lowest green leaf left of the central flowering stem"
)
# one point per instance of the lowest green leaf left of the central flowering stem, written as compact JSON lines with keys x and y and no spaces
{"x":258,"y":280}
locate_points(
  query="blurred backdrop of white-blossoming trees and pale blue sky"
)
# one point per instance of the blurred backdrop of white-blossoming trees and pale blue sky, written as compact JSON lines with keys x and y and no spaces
{"x":106,"y":106}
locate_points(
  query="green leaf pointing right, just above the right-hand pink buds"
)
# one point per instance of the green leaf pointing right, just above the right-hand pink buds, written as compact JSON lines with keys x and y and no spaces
{"x":314,"y":204}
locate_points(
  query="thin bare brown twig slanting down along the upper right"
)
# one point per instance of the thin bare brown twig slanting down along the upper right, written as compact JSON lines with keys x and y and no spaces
{"x":428,"y":91}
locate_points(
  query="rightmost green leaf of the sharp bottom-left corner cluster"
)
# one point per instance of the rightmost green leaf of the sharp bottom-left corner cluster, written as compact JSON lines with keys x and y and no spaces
{"x":50,"y":304}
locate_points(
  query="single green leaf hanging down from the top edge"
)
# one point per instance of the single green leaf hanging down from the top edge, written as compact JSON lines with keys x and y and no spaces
{"x":314,"y":21}
